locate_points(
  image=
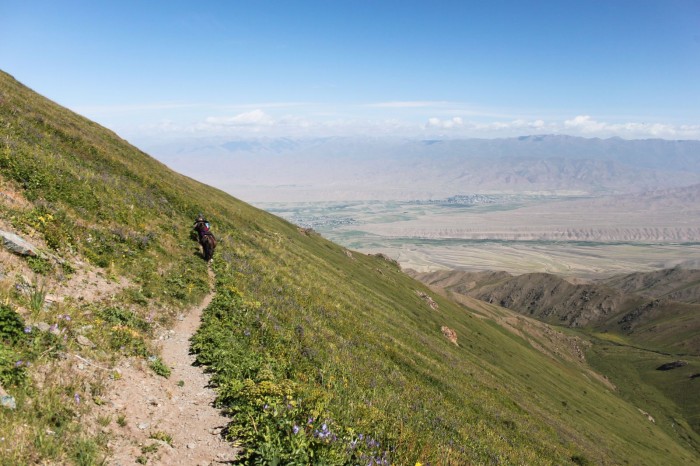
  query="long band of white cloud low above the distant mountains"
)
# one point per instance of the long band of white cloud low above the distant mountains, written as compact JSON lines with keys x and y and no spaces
{"x":394,"y":120}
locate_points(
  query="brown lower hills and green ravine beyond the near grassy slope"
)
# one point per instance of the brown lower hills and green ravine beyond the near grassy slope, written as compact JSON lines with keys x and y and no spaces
{"x":632,"y":335}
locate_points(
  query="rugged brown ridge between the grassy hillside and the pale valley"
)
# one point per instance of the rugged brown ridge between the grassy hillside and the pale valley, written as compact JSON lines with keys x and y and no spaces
{"x":628,"y":304}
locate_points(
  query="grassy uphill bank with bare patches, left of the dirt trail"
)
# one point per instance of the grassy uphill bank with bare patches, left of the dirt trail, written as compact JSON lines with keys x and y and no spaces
{"x":89,"y":198}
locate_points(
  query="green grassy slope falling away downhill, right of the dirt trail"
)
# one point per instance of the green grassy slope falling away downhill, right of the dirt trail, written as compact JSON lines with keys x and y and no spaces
{"x":299,"y":330}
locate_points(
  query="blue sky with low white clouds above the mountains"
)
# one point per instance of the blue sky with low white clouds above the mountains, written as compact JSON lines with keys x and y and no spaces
{"x":165,"y":70}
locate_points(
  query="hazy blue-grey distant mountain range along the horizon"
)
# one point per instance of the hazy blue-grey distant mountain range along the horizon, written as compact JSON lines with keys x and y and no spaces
{"x":374,"y":168}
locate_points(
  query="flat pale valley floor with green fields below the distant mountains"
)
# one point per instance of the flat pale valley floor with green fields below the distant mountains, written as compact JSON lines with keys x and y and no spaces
{"x":498,"y":236}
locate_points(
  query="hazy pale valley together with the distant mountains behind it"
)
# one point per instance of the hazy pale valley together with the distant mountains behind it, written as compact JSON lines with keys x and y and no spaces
{"x":568,"y":205}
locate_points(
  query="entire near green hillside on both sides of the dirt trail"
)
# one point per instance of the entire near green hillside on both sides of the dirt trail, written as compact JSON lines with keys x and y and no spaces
{"x":320,"y":355}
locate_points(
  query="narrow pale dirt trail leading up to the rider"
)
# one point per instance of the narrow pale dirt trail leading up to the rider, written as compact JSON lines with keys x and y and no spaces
{"x":172,"y":416}
